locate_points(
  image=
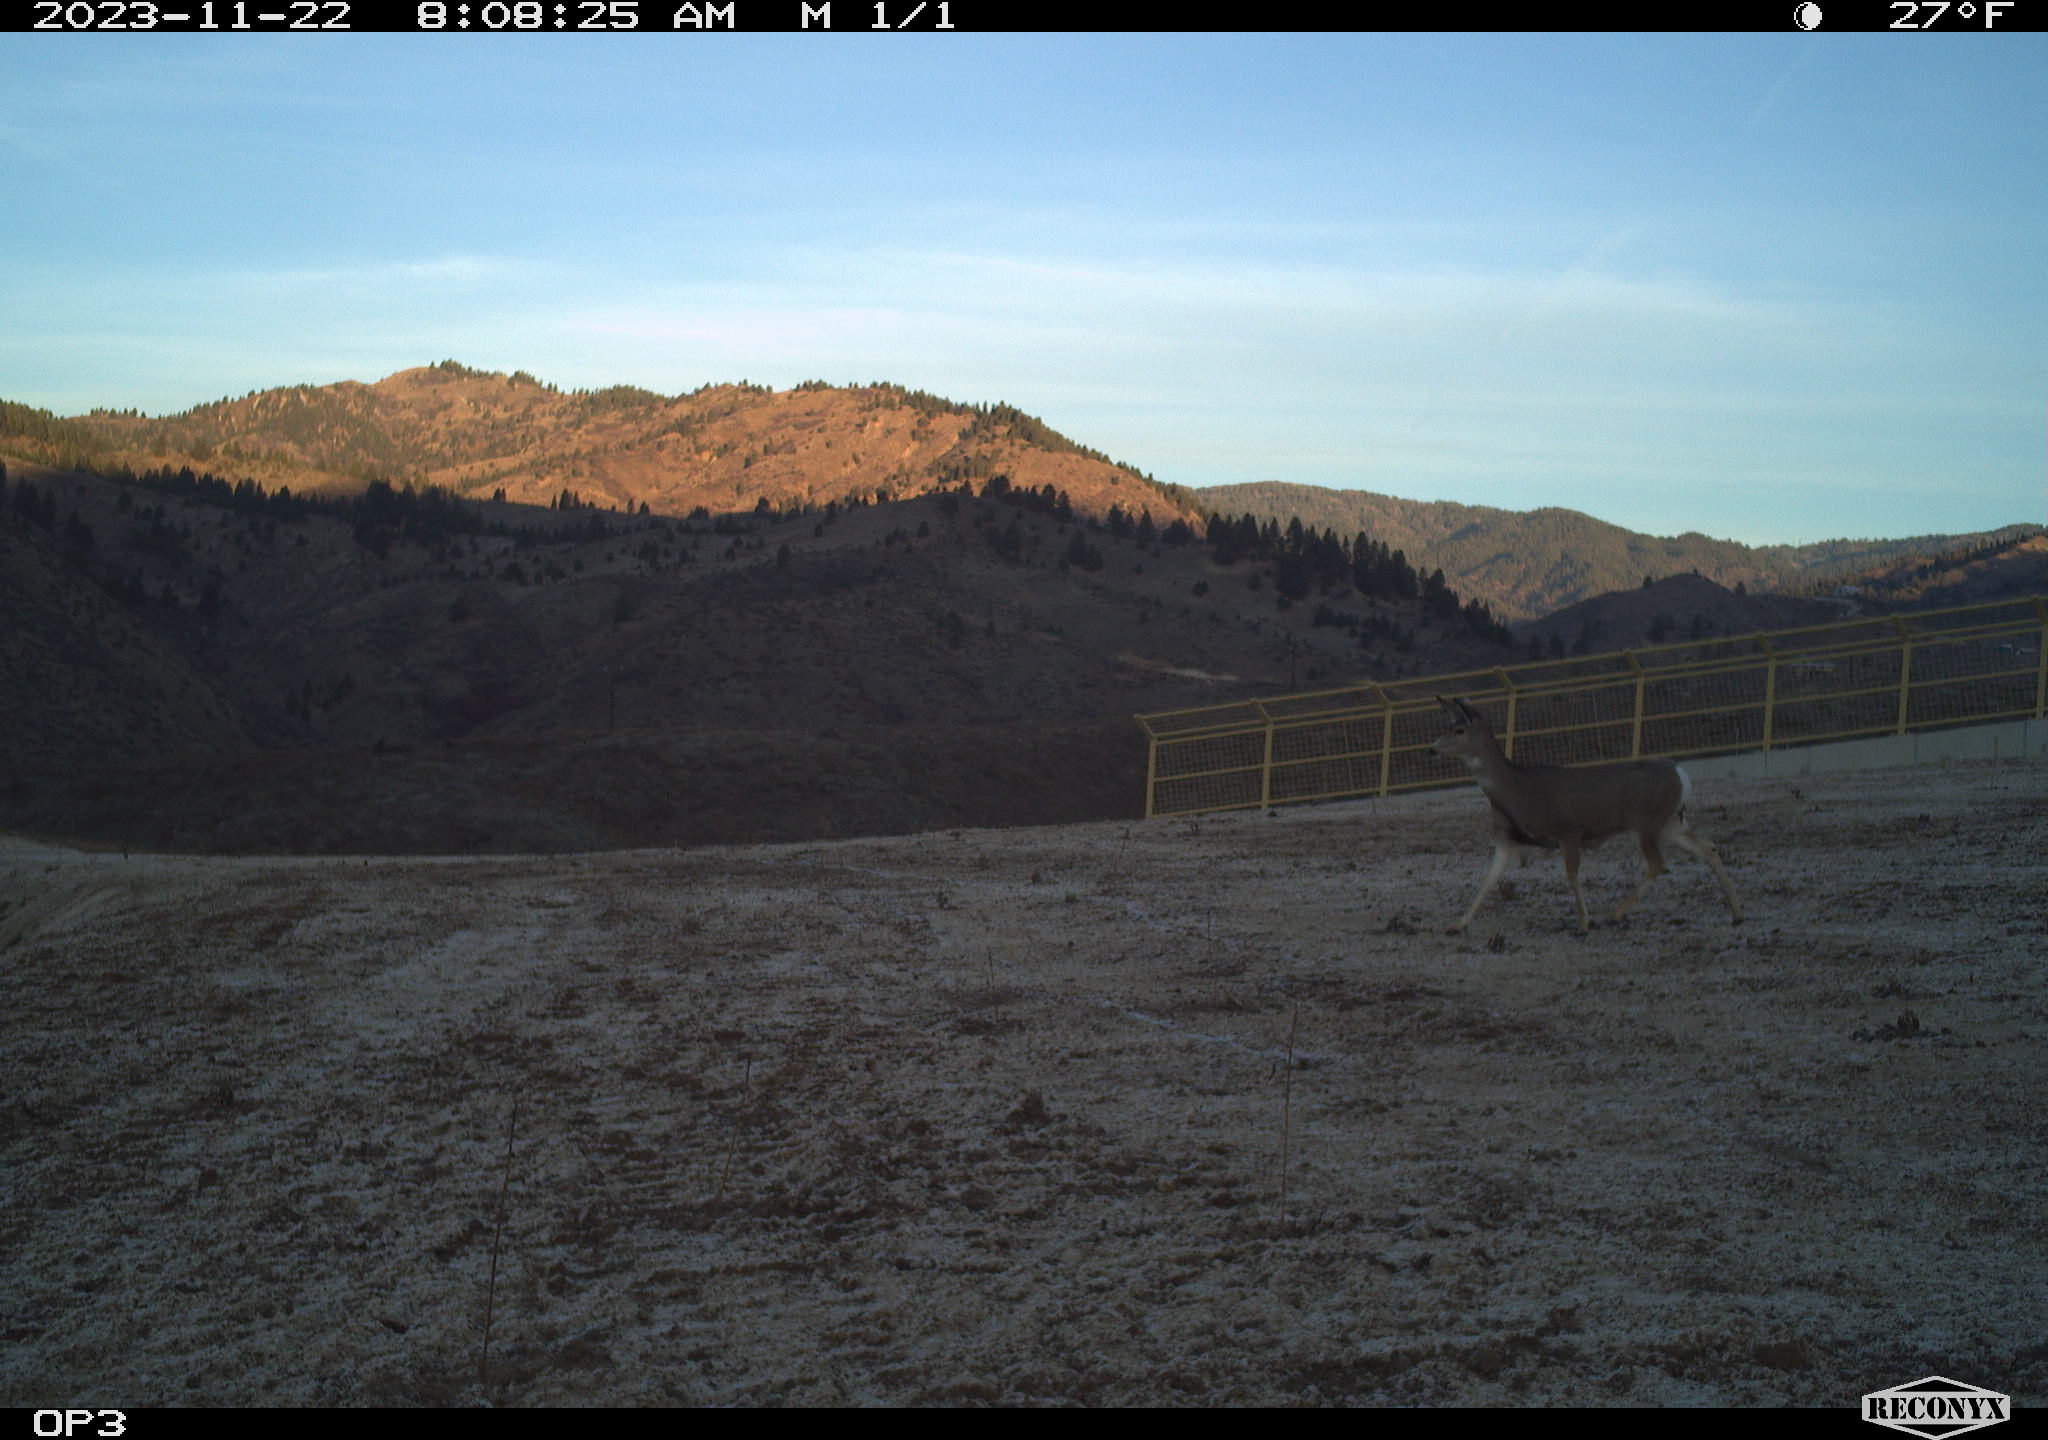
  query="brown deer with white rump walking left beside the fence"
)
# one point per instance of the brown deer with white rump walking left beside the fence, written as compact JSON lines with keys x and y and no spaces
{"x":1570,"y":808}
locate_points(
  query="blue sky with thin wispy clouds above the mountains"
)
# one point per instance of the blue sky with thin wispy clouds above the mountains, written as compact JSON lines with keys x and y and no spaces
{"x":1773,"y":288}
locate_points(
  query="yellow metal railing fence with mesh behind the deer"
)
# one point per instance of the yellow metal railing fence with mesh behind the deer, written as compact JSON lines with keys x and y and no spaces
{"x":1857,"y":679}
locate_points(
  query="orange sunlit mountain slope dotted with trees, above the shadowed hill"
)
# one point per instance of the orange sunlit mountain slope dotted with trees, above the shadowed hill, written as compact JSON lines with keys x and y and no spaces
{"x":478,"y":433}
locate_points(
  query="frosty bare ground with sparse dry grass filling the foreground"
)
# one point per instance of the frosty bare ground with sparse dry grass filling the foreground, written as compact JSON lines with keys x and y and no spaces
{"x":998,"y":1117}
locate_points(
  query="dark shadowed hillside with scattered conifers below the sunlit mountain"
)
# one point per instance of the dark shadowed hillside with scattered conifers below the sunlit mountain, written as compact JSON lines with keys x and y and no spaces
{"x":202,"y":665}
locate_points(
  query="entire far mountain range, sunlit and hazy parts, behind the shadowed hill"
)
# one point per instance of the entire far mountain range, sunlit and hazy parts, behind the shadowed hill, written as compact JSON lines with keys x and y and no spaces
{"x":736,"y":448}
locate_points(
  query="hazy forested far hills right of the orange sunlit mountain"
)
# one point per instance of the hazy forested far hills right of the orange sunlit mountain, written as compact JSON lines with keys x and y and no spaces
{"x":1535,"y":562}
